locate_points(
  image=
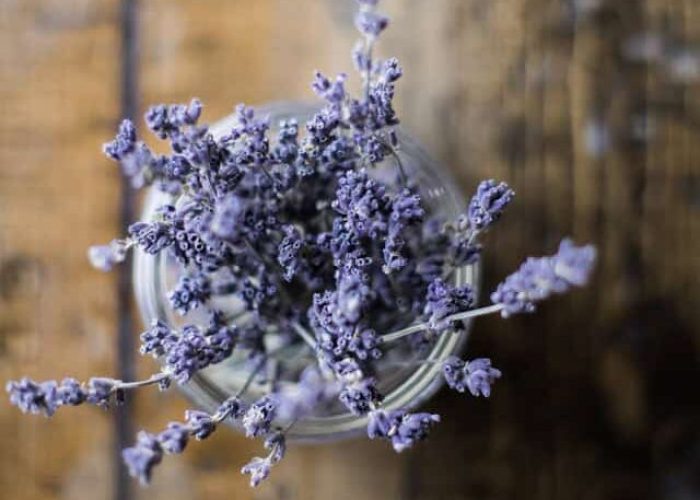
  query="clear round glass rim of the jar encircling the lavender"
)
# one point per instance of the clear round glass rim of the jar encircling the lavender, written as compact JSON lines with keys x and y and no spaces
{"x":419,"y":383}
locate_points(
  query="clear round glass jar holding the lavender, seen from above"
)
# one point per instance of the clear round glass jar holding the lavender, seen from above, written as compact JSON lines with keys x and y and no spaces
{"x":404,"y":385}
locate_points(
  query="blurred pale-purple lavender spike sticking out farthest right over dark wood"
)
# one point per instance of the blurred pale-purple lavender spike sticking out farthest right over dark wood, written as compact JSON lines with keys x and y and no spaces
{"x":539,"y":278}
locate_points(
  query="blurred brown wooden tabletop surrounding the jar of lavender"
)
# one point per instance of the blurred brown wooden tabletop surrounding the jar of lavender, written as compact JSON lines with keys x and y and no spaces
{"x":589,"y":108}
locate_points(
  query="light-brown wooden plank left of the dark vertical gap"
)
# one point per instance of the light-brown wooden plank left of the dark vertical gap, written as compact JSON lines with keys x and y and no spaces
{"x":58,"y":78}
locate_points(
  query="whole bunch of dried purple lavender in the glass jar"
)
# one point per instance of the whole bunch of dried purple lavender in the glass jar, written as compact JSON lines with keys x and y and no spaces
{"x":291,"y":221}
